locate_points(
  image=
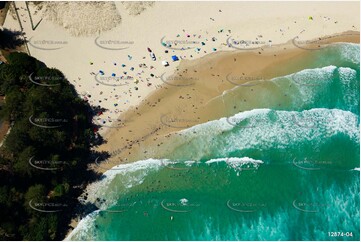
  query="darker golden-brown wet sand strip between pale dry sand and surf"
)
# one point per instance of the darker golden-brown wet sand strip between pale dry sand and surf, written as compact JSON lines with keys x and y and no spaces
{"x":189,"y":96}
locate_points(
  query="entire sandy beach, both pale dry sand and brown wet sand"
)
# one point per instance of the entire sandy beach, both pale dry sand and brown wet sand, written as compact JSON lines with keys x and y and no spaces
{"x":219,"y":47}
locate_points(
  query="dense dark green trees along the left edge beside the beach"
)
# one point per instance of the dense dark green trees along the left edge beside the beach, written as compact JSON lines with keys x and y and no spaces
{"x":44,"y":158}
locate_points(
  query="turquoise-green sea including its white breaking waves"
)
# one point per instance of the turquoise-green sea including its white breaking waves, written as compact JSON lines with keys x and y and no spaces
{"x":275,"y":173}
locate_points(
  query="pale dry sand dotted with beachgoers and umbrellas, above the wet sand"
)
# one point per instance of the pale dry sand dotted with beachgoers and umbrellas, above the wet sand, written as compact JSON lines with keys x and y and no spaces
{"x":143,"y":26}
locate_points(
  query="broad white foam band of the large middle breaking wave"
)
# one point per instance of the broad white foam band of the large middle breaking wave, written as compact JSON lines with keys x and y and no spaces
{"x":283,"y":128}
